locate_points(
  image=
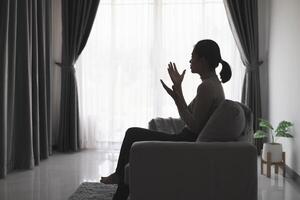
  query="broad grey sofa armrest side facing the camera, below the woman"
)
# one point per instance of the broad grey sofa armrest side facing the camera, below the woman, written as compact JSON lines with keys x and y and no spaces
{"x":185,"y":170}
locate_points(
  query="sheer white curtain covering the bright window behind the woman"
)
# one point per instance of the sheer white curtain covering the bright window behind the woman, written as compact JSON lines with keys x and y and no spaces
{"x":127,"y":53}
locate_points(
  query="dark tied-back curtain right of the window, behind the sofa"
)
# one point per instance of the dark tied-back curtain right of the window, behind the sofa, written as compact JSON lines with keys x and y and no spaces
{"x":243,"y":20}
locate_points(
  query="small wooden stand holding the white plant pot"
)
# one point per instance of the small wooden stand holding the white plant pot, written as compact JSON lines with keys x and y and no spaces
{"x":280,"y":164}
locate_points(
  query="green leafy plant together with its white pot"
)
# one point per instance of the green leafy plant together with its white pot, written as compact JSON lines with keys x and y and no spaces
{"x":282,"y":130}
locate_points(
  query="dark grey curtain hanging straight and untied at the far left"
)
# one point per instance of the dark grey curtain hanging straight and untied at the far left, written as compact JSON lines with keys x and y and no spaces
{"x":25,"y":57}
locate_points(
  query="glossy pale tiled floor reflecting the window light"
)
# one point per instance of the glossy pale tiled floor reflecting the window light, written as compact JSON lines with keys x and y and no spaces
{"x":58,"y":177}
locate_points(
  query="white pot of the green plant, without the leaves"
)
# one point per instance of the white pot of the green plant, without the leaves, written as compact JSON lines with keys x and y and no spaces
{"x":275,"y":149}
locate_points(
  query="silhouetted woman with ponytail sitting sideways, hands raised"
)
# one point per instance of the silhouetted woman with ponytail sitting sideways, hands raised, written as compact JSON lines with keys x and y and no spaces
{"x":205,"y":59}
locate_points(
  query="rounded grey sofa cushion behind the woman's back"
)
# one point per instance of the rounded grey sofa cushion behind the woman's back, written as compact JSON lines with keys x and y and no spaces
{"x":226,"y":123}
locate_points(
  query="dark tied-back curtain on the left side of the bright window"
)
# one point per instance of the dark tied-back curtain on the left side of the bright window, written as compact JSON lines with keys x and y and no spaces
{"x":77,"y":20}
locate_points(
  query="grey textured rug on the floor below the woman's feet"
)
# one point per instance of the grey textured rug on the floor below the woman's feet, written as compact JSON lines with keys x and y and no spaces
{"x":93,"y":191}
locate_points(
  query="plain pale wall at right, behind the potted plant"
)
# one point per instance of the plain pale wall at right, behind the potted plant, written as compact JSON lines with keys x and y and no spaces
{"x":284,"y":72}
